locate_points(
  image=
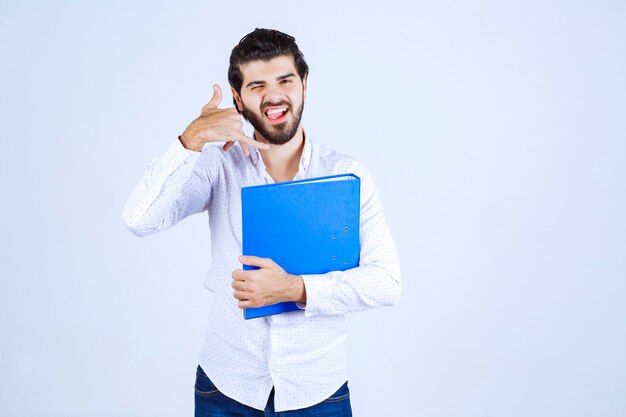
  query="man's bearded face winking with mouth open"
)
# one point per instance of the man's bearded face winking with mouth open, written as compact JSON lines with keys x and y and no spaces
{"x":272,"y":98}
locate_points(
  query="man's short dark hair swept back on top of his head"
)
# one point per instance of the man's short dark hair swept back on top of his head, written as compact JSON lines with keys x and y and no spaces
{"x":263,"y":44}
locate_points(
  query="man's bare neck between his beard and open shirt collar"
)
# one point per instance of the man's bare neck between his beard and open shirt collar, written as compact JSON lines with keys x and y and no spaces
{"x":282,"y":161}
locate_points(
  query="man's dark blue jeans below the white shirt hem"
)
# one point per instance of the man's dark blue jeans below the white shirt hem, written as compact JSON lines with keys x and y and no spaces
{"x":210,"y":402}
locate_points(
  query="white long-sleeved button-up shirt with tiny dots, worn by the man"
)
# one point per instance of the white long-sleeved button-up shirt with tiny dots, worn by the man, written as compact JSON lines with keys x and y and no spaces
{"x":301,"y":353}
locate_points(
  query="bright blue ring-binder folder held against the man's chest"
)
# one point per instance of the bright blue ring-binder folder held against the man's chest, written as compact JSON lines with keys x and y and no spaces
{"x":308,"y":226}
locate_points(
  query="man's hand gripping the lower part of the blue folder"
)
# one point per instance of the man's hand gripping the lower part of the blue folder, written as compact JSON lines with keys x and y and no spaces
{"x":269,"y":284}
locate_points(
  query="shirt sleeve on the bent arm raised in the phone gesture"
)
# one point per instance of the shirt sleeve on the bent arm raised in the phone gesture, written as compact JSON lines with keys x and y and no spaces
{"x":174,"y":186}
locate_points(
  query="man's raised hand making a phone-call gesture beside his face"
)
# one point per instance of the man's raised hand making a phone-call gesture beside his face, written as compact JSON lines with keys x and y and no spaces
{"x":218,"y":125}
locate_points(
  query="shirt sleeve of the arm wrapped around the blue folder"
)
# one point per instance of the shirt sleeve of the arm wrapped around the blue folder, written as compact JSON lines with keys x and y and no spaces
{"x":376,"y":281}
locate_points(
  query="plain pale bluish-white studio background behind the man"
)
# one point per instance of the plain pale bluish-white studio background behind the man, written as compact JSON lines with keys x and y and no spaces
{"x":494,"y":130}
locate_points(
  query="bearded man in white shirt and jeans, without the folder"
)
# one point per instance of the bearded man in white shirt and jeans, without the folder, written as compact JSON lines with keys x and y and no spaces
{"x":289,"y":361}
